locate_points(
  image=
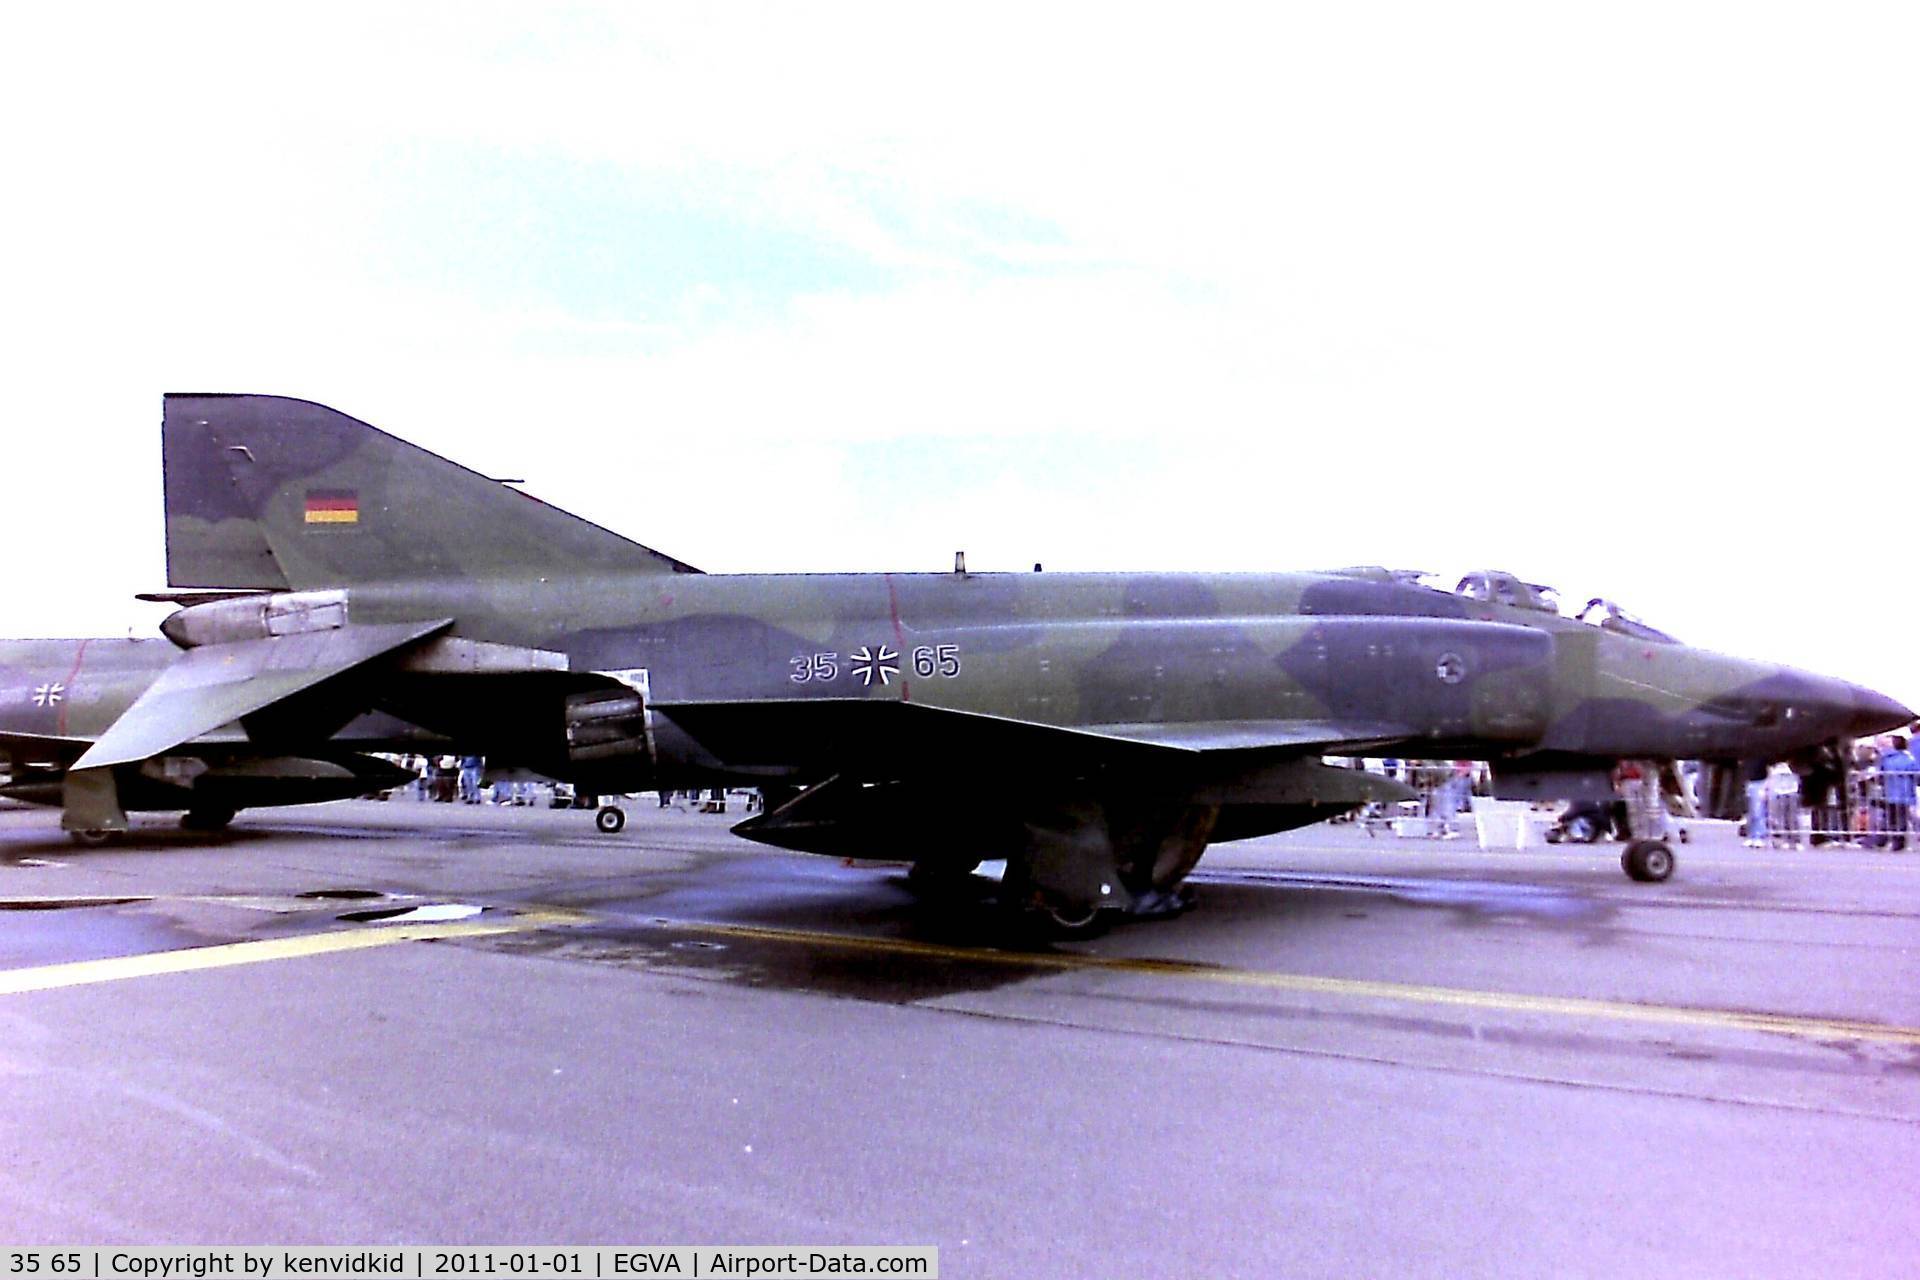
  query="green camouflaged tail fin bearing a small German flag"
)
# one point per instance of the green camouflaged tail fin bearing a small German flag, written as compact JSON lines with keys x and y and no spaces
{"x":283,"y":494}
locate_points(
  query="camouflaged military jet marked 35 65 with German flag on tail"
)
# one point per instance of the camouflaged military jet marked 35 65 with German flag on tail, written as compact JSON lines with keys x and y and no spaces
{"x":1095,"y":730}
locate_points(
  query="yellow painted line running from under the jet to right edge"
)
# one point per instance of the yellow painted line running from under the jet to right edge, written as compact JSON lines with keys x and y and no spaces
{"x":1355,"y":989}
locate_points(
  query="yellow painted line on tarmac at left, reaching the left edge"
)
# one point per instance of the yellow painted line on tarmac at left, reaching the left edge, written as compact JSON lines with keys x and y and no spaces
{"x":228,"y":955}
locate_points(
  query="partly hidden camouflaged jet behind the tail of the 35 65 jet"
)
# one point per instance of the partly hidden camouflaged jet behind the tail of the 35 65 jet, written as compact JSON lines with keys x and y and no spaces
{"x":60,"y":696}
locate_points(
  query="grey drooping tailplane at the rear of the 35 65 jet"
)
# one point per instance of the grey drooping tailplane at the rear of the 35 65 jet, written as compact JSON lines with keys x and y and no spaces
{"x":218,"y":684}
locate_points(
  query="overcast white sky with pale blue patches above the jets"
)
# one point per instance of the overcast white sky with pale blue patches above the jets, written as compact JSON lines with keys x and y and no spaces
{"x":1623,"y":298}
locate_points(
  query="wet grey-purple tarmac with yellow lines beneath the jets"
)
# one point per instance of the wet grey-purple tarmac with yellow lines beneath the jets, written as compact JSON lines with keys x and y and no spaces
{"x":420,"y":1024}
